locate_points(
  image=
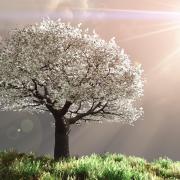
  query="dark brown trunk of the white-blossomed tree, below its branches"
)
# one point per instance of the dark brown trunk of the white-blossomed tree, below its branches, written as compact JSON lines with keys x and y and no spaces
{"x":61,"y":148}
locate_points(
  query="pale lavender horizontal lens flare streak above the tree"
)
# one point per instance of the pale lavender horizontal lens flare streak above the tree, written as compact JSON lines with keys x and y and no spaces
{"x":97,"y":14}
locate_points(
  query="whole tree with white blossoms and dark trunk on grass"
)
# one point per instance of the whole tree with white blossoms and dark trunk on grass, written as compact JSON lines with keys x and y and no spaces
{"x":71,"y":73}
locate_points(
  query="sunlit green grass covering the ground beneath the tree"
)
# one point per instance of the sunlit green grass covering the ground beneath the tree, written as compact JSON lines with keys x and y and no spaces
{"x":21,"y":166}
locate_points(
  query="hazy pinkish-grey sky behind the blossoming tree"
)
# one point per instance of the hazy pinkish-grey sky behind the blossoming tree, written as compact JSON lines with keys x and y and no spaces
{"x":149,"y":31}
